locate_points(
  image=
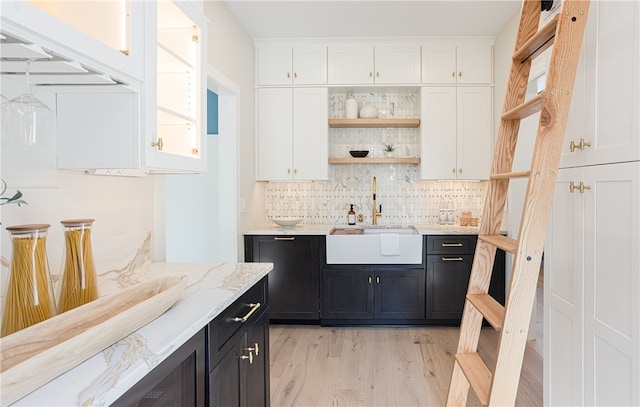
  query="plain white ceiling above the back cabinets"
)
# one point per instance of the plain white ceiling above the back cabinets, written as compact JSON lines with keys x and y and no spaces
{"x":373,"y":18}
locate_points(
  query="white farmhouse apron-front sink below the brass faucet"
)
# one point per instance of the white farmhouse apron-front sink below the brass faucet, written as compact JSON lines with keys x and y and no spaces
{"x":363,"y":245}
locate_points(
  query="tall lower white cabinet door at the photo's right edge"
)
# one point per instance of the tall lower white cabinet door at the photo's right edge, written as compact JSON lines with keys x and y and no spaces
{"x":612,"y":284}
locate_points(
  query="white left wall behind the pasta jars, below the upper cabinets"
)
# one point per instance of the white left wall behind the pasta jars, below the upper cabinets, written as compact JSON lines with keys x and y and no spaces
{"x":120,"y":206}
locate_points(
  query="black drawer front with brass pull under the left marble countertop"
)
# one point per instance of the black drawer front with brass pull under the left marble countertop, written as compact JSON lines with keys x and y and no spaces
{"x":241,"y":313}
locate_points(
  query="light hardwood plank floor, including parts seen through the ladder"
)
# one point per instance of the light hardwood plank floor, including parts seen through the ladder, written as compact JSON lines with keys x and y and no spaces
{"x":380,"y":366}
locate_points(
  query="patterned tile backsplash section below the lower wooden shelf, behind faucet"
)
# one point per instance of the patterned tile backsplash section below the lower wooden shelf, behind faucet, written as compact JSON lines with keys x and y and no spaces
{"x":404,"y":199}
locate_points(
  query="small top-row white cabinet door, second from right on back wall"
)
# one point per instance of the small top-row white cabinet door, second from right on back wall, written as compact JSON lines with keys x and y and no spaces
{"x":439,"y":63}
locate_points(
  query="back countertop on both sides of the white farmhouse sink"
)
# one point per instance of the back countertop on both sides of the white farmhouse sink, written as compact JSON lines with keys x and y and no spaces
{"x":320,"y":229}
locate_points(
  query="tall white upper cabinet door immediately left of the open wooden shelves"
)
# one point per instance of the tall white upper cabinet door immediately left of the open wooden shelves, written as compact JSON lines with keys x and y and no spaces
{"x":310,"y":134}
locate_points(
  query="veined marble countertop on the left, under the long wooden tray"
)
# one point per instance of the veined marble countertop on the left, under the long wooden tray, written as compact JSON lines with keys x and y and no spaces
{"x":103,"y":378}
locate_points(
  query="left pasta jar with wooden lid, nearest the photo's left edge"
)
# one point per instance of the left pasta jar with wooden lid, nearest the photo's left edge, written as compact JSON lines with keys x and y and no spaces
{"x":29,"y":297}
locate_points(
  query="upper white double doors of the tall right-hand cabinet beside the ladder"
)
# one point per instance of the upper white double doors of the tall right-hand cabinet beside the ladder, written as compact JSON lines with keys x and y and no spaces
{"x":610,"y":103}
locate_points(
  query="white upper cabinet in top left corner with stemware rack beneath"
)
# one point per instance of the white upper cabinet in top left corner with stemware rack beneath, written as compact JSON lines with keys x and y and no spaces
{"x":101,"y":42}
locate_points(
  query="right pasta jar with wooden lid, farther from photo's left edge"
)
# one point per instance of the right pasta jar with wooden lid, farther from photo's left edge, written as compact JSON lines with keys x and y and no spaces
{"x":79,"y":283}
